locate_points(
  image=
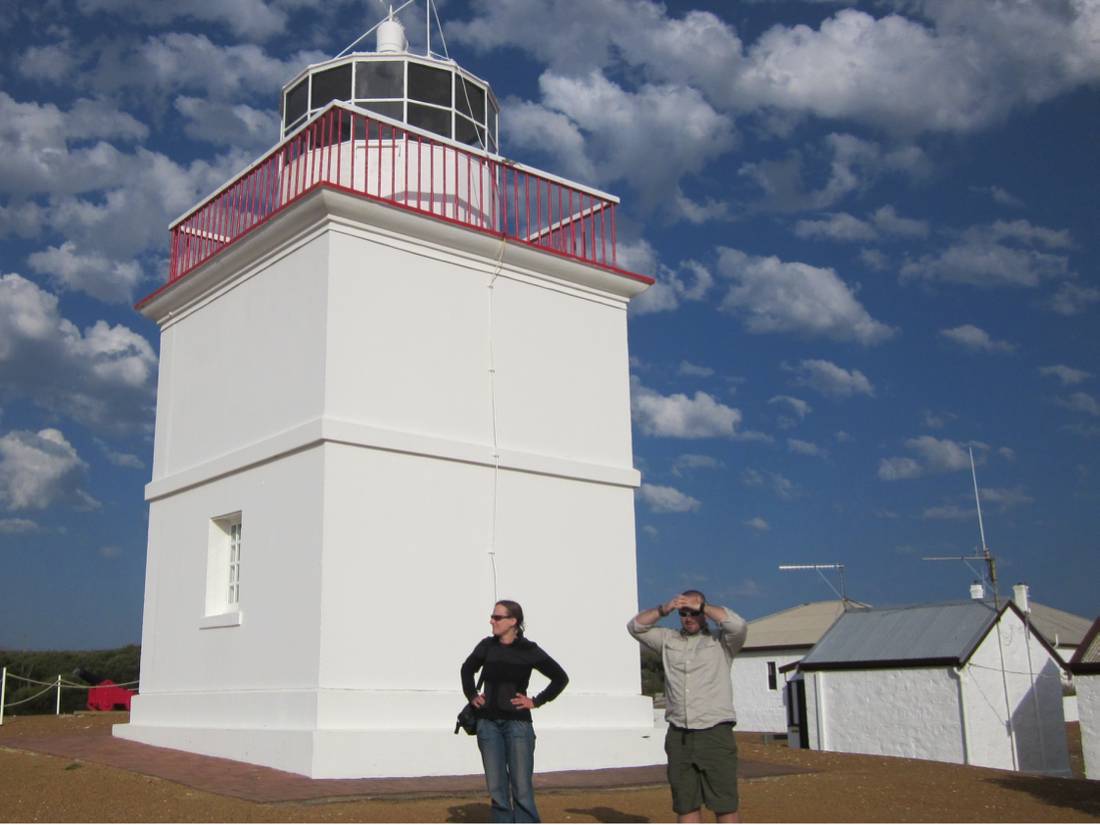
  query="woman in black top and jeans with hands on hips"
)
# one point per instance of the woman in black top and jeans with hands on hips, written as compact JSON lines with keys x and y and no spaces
{"x":505,"y":735}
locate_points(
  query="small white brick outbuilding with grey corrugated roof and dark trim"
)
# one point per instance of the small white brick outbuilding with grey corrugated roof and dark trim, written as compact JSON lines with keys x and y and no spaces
{"x":956,"y":683}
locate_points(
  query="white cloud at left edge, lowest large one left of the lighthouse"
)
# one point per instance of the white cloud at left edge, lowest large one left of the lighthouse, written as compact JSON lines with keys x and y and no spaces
{"x":39,"y":470}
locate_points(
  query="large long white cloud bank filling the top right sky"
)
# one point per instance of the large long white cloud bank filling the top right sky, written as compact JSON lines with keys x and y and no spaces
{"x":949,"y":68}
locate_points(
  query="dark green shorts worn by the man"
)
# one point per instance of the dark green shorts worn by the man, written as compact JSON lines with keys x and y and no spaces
{"x":703,"y":768}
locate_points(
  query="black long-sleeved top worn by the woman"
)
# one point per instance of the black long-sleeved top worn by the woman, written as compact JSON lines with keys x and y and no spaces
{"x":508,"y":670}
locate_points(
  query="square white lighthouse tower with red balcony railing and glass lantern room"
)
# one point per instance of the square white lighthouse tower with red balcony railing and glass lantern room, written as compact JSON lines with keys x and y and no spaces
{"x":394,"y":389}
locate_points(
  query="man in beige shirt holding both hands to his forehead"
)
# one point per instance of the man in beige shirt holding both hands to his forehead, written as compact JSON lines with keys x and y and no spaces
{"x":700,"y":743}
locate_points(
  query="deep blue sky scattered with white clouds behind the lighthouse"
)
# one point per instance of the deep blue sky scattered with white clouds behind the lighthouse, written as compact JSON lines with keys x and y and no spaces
{"x":873,"y":227}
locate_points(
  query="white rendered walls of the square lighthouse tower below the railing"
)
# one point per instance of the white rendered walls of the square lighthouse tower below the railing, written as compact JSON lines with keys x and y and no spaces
{"x":337,"y":392}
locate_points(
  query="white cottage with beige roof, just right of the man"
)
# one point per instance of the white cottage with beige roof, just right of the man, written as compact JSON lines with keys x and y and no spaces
{"x":775,"y":643}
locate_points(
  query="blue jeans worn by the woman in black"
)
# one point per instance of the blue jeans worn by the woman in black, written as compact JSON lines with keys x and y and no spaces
{"x":508,"y":749}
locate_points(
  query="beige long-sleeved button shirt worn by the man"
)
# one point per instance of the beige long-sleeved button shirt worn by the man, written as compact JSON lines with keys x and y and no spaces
{"x":697,"y":670}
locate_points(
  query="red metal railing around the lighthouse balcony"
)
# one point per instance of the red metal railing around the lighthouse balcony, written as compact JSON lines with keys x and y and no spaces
{"x":354,"y":151}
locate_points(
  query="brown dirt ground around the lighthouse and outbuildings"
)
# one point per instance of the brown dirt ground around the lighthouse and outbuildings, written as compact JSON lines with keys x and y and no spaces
{"x":840,"y":788}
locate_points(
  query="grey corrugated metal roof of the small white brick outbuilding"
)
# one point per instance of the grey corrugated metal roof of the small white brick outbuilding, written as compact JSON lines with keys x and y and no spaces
{"x":919,"y":633}
